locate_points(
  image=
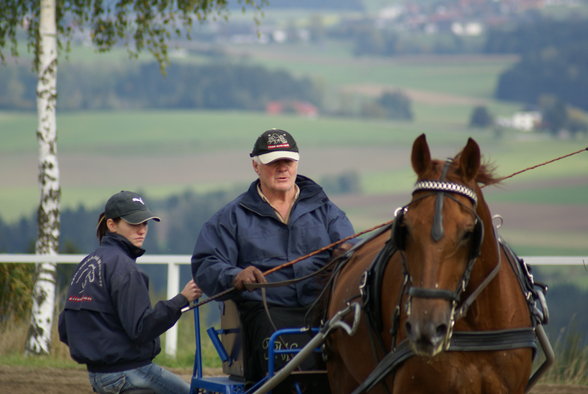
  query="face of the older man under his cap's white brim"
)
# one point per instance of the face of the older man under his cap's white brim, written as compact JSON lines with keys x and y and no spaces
{"x":278,"y":176}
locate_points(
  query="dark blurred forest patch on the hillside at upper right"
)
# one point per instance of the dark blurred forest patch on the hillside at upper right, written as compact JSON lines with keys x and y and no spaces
{"x":554,"y":62}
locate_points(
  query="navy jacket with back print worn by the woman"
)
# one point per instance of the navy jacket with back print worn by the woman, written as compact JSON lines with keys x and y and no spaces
{"x":108,"y":322}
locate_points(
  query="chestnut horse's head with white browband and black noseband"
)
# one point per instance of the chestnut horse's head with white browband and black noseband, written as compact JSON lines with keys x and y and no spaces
{"x":439,"y":234}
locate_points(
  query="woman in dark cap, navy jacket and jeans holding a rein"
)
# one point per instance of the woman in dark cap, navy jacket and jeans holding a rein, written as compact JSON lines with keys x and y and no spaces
{"x":108,"y":322}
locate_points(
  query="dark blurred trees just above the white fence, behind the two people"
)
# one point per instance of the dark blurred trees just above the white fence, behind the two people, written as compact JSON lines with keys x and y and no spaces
{"x":183,"y":214}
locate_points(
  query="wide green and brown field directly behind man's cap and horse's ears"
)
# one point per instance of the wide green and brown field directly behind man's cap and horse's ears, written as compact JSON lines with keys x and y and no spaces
{"x":163,"y":153}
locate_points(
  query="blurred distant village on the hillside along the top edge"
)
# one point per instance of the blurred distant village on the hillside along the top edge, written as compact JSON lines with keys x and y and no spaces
{"x":461,"y":18}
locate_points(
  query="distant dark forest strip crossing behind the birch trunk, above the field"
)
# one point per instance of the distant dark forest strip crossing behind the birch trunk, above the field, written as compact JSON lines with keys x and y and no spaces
{"x":215,"y":86}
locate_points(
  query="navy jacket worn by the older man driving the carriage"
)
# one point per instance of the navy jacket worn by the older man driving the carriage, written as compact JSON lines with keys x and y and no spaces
{"x":247,"y":232}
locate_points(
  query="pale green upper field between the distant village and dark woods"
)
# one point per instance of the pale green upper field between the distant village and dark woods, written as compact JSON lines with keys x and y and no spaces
{"x":468,"y":76}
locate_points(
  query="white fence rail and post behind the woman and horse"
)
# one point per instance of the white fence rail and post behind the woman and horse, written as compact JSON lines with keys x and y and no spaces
{"x":173,"y":263}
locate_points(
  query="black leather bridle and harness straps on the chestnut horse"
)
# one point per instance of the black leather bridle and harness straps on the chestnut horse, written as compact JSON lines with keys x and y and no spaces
{"x":458,"y":341}
